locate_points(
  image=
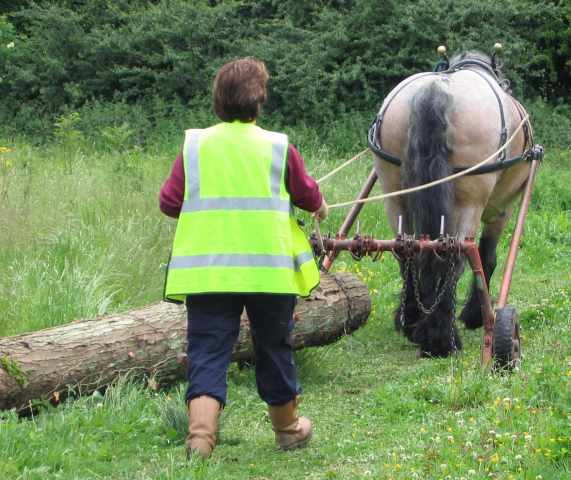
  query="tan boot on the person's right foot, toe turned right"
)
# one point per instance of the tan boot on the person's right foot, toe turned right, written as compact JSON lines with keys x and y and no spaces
{"x":291,"y":431}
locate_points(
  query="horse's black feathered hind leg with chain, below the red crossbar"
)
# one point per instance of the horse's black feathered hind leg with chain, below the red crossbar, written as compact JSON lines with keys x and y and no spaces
{"x":436,"y":332}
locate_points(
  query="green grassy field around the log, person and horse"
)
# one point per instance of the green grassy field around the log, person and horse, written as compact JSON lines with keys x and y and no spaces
{"x":81,"y":235}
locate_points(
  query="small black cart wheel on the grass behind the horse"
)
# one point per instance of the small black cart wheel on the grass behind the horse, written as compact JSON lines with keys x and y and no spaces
{"x":506,"y":342}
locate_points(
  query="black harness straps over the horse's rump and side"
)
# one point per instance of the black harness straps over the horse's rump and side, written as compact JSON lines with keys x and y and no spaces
{"x":503,"y":163}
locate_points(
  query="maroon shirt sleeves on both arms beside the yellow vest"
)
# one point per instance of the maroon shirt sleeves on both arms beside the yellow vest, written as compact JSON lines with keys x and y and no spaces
{"x":303,"y":189}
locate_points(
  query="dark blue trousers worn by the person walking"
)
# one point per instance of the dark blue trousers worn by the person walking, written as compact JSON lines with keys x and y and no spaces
{"x":213,"y":326}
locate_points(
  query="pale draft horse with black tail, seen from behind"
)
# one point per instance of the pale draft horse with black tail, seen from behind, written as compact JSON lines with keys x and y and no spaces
{"x":431,"y":125}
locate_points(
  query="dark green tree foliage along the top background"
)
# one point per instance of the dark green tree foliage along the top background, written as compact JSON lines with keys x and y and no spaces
{"x":325,"y":57}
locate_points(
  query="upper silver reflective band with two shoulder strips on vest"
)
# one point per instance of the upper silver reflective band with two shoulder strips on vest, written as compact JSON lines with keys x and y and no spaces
{"x":195,"y":204}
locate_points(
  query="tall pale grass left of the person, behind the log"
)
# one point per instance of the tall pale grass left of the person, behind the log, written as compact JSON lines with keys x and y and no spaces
{"x":81,"y":234}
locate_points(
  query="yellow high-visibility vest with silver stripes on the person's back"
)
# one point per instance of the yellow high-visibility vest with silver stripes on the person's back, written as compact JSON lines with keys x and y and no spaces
{"x":236,"y":231}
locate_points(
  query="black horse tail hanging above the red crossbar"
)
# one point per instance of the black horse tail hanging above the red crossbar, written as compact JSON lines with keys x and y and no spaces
{"x":428,"y":149}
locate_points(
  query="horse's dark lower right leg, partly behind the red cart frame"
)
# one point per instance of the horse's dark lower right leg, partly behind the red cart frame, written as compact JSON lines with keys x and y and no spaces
{"x":472,"y":313}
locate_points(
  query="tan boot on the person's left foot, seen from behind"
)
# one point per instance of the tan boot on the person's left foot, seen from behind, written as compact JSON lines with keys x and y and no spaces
{"x":203,"y":413}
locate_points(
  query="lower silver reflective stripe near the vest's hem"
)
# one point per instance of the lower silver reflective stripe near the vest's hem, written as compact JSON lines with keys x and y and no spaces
{"x":240,"y":260}
